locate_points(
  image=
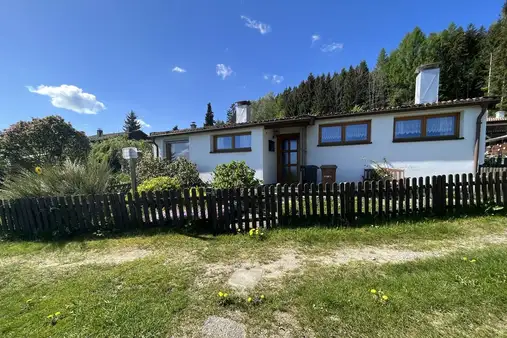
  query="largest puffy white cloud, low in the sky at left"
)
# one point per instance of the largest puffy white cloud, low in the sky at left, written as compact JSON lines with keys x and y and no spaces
{"x":71,"y":98}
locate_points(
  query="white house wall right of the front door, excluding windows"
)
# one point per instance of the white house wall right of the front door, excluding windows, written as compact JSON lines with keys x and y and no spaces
{"x":417,"y":158}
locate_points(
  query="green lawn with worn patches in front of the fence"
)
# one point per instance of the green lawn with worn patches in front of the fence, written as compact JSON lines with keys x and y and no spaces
{"x":156,"y":284}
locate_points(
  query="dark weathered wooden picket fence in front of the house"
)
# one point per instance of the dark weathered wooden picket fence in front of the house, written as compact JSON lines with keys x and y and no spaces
{"x":223,"y":210}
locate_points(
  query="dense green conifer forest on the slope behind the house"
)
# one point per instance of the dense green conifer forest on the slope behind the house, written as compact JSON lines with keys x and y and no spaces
{"x":472,"y":60}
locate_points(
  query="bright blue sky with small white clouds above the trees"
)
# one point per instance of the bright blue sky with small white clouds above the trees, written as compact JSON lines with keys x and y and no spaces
{"x":117,"y":55}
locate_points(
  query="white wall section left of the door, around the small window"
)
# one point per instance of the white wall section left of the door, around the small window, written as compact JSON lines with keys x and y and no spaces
{"x":201,"y":146}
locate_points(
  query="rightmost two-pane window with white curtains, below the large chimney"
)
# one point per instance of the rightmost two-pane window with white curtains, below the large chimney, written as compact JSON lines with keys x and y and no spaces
{"x":423,"y":128}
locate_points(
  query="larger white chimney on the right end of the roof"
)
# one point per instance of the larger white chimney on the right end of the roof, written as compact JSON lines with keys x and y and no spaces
{"x":427,"y":83}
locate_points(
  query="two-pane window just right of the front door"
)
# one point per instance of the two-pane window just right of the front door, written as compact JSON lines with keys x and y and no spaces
{"x":345,"y":133}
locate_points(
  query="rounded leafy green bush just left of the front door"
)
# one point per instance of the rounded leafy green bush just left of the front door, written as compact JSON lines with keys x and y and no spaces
{"x":234,"y":175}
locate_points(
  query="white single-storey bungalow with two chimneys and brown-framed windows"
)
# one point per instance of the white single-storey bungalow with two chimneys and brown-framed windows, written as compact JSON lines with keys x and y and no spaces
{"x":423,"y":139}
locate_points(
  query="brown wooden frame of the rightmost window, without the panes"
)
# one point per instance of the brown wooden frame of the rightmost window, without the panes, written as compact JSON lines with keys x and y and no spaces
{"x":424,"y":119}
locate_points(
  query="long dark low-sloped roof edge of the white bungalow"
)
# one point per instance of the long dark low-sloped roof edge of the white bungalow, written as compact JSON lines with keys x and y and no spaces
{"x":301,"y":119}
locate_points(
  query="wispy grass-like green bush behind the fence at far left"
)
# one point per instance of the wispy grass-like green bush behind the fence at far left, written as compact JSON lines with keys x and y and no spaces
{"x":69,"y":178}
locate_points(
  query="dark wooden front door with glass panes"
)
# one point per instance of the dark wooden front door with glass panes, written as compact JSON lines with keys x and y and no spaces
{"x":288,"y":158}
